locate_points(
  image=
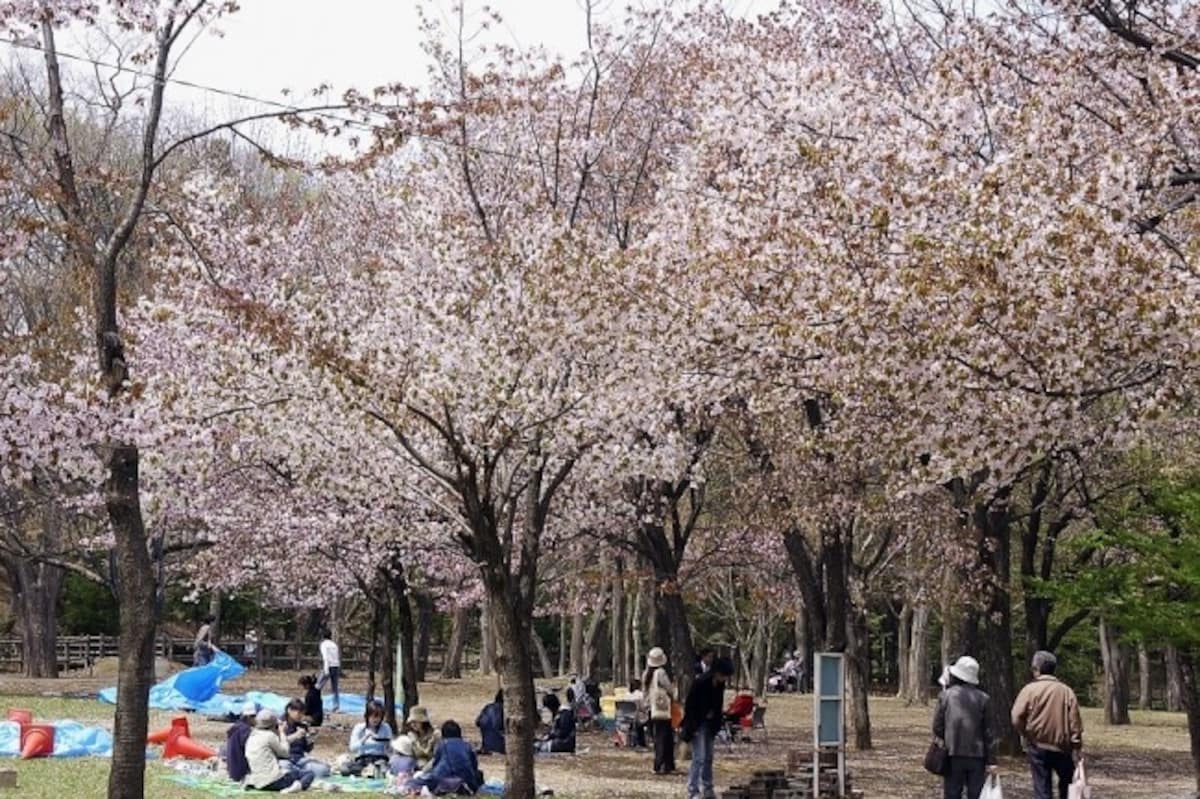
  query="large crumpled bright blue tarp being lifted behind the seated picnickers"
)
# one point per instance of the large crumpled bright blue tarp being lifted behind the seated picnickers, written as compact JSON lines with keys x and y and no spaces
{"x":200,"y":689}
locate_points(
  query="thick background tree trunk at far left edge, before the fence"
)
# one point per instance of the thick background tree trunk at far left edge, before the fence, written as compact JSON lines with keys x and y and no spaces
{"x":35,"y":596}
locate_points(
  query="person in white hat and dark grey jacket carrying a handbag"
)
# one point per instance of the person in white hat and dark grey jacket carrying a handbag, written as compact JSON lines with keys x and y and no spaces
{"x":963,"y":722}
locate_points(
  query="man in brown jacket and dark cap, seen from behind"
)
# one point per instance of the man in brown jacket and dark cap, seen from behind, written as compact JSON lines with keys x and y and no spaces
{"x":1047,"y":717}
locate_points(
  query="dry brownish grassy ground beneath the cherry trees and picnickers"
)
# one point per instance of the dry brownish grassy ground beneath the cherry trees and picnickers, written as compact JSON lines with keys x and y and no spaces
{"x":1147,"y":761}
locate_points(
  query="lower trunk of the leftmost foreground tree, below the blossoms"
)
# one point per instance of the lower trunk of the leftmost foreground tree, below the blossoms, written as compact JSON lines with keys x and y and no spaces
{"x":136,"y":598}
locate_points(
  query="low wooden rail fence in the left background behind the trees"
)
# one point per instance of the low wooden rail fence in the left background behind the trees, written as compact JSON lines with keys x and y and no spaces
{"x":81,"y":653}
